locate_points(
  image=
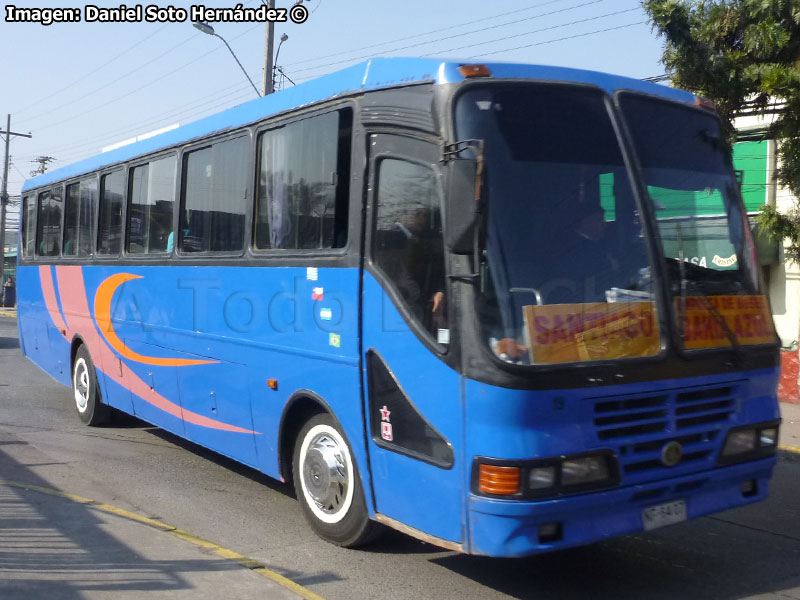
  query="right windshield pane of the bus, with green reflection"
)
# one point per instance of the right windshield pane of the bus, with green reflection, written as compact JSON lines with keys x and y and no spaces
{"x":704,"y":233}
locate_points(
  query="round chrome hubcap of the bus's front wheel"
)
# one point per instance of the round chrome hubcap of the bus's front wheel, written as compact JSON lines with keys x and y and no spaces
{"x":325,"y":473}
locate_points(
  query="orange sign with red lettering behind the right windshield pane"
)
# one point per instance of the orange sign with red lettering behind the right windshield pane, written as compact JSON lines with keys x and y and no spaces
{"x":747,"y":317}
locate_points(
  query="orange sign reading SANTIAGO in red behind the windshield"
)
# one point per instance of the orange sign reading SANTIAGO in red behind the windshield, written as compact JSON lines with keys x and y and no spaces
{"x":560,"y":333}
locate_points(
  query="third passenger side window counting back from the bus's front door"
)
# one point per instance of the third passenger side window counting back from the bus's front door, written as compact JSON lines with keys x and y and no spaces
{"x":151,"y":195}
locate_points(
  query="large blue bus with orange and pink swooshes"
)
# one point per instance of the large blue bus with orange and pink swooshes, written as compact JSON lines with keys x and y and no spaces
{"x":460,"y":300}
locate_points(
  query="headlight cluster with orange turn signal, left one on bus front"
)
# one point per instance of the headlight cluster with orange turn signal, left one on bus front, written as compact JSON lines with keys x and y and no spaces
{"x":549,"y":477}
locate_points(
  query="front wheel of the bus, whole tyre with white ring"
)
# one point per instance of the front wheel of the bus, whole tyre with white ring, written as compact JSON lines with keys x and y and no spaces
{"x":328,"y":486}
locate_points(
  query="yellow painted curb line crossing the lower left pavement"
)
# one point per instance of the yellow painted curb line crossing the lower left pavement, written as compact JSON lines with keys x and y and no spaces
{"x":248,"y":563}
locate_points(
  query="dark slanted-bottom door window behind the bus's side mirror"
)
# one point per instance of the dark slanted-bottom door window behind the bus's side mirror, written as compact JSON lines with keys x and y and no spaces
{"x":408,"y":245}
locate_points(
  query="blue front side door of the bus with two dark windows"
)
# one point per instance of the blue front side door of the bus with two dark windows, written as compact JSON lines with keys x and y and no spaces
{"x":413,"y":408}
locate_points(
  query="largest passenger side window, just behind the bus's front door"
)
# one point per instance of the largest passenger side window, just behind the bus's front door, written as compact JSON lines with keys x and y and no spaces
{"x":304,"y":172}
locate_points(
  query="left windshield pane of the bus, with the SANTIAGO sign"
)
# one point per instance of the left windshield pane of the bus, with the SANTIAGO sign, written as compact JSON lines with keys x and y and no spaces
{"x":567,"y":272}
